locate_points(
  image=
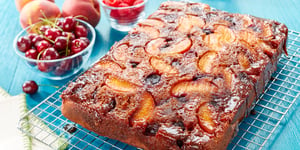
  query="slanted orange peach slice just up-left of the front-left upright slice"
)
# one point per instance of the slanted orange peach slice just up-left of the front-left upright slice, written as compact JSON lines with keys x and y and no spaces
{"x":120,"y":85}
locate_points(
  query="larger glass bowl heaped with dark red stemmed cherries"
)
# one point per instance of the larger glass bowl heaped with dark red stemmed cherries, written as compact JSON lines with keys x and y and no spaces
{"x":56,"y":48}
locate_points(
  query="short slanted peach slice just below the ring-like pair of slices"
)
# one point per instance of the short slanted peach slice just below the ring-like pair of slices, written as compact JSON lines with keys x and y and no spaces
{"x":162,"y":66}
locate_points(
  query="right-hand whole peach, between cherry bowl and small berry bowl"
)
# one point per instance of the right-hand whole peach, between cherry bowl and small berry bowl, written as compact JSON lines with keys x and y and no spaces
{"x":88,"y":10}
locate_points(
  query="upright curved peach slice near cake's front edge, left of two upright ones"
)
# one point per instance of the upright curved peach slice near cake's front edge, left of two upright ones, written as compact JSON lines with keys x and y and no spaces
{"x":144,"y":111}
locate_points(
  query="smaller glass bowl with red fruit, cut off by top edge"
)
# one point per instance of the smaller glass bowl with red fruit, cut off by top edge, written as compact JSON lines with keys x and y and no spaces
{"x":124,"y":18}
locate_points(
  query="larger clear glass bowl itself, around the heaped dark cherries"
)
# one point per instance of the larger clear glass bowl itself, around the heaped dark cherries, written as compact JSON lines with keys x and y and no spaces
{"x":62,"y":68}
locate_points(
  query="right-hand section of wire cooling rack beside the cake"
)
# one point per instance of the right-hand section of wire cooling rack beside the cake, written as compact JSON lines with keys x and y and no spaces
{"x":257,"y":130}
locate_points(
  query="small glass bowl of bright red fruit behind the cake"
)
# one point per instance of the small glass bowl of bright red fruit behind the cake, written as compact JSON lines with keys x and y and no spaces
{"x":124,"y":14}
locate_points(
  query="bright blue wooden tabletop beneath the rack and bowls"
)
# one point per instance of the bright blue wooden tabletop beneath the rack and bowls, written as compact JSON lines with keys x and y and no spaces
{"x":14,"y":72}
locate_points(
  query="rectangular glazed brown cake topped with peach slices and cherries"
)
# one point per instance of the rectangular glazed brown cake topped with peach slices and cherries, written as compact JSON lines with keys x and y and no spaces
{"x":182,"y":79}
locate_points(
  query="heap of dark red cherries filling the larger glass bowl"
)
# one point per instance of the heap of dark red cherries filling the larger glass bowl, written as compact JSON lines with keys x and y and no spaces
{"x":52,"y":43}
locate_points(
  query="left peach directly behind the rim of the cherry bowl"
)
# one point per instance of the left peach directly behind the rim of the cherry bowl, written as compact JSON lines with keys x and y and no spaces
{"x":37,"y":9}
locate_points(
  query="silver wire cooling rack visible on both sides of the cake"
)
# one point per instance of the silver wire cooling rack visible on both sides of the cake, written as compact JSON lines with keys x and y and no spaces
{"x":255,"y":132}
